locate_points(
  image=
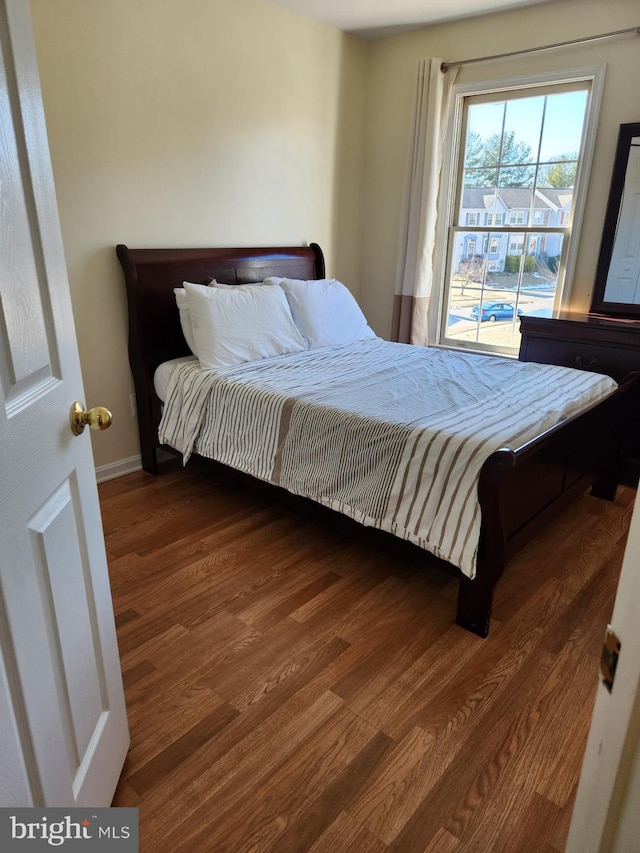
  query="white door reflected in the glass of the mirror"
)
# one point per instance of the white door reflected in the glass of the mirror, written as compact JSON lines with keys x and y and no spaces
{"x":623,"y":279}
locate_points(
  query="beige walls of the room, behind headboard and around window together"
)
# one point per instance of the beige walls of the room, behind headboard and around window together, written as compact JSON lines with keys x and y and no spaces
{"x":222,"y":122}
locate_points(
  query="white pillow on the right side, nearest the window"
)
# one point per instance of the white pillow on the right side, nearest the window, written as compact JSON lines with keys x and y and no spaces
{"x":325,"y":311}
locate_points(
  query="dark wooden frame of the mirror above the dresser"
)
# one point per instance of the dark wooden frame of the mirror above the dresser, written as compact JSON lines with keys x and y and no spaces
{"x":598,"y":303}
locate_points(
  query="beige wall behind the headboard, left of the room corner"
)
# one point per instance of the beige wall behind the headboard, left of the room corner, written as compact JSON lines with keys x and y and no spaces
{"x":192,"y":123}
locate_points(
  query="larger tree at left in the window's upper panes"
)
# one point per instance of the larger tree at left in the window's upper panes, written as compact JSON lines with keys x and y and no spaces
{"x":484,"y":156}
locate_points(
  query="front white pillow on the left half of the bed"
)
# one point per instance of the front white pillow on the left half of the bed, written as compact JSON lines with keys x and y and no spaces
{"x":232,"y":325}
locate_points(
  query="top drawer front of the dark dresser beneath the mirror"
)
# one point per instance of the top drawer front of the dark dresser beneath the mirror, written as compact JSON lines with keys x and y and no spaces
{"x":598,"y":358}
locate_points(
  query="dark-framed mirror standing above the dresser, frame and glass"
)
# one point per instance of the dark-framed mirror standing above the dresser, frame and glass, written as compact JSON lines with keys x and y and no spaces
{"x":616,"y":289}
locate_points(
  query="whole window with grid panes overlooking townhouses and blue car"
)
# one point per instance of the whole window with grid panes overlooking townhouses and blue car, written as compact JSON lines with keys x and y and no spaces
{"x":524,"y":150}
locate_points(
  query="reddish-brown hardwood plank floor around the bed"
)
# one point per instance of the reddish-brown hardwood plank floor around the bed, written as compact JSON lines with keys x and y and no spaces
{"x":296,"y":682}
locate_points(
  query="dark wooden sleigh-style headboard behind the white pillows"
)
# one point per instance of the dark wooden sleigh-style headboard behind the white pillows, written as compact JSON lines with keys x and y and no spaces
{"x":155,"y":334}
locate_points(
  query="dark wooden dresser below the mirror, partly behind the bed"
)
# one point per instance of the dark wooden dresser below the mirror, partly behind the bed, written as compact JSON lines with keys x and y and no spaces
{"x":588,"y":342}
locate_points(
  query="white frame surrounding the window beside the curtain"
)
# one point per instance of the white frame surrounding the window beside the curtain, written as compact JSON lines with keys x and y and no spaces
{"x":594,"y":74}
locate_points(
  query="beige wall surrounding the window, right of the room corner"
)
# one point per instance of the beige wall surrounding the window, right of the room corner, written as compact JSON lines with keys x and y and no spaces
{"x":389,"y":95}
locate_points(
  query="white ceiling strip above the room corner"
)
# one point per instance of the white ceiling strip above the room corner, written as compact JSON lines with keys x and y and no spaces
{"x":371,"y":18}
